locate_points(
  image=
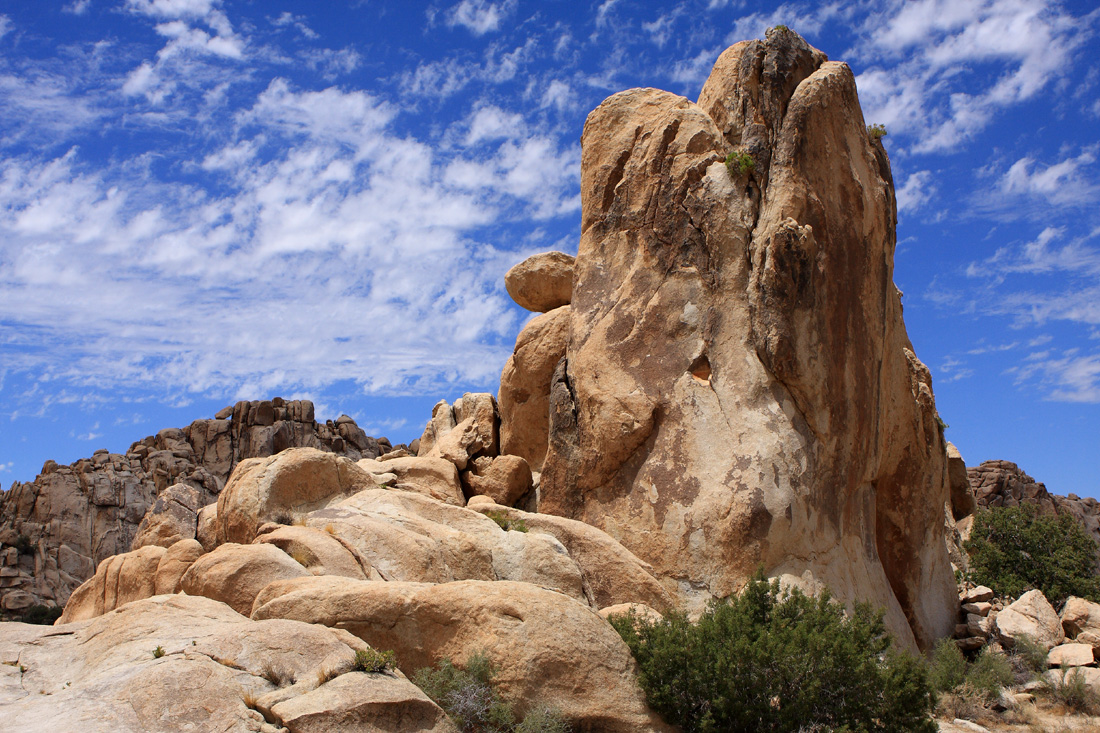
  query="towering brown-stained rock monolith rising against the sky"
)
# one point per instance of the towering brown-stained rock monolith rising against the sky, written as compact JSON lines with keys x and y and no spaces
{"x":739,"y":389}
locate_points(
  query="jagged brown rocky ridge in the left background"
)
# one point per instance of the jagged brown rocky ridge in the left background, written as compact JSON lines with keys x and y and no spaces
{"x":75,"y":517}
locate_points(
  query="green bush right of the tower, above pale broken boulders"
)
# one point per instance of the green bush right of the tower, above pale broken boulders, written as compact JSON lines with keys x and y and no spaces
{"x":1015,"y":550}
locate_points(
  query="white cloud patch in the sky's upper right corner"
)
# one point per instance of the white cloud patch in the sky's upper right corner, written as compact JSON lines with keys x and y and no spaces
{"x":921,"y":54}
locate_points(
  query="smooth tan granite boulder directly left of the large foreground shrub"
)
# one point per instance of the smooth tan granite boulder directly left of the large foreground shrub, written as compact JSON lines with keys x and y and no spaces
{"x":548,"y":649}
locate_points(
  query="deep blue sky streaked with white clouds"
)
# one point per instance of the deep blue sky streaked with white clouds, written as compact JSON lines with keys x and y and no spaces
{"x":206,"y":201}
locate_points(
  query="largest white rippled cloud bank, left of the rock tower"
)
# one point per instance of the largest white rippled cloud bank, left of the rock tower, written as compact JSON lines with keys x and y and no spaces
{"x":337,"y":249}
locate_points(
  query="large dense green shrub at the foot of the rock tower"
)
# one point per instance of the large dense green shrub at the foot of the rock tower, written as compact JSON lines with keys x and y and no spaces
{"x":772,"y":660}
